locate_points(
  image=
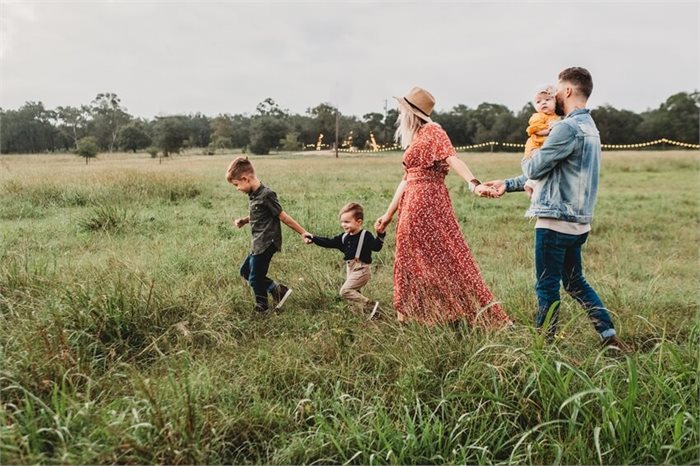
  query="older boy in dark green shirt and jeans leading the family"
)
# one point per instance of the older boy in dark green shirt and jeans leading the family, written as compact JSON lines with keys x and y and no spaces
{"x":264,"y":217}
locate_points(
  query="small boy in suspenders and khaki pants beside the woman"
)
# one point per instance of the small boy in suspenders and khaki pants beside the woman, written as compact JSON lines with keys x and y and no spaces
{"x":357,"y":244}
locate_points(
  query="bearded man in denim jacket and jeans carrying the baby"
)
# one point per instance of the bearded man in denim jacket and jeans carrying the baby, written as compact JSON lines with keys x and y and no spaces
{"x":567,"y":167}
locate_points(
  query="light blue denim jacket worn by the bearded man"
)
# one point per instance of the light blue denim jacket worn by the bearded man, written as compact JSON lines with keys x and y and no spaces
{"x":567,"y":167}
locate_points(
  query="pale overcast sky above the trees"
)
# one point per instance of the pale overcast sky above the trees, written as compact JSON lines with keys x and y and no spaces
{"x":173,"y":57}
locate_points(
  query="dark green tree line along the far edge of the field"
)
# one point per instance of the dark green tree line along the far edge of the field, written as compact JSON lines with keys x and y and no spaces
{"x":105,"y":125}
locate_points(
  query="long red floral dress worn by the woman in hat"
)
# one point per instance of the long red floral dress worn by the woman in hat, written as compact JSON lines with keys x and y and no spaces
{"x":436,"y":279}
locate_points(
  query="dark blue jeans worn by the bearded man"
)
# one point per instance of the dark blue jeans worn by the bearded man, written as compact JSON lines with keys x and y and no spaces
{"x":558,"y":259}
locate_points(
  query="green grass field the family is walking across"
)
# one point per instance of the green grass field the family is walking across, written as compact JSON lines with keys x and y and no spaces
{"x":127,"y":335}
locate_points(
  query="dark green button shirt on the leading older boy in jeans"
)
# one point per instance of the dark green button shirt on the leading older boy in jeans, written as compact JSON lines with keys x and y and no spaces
{"x":264,"y":215}
